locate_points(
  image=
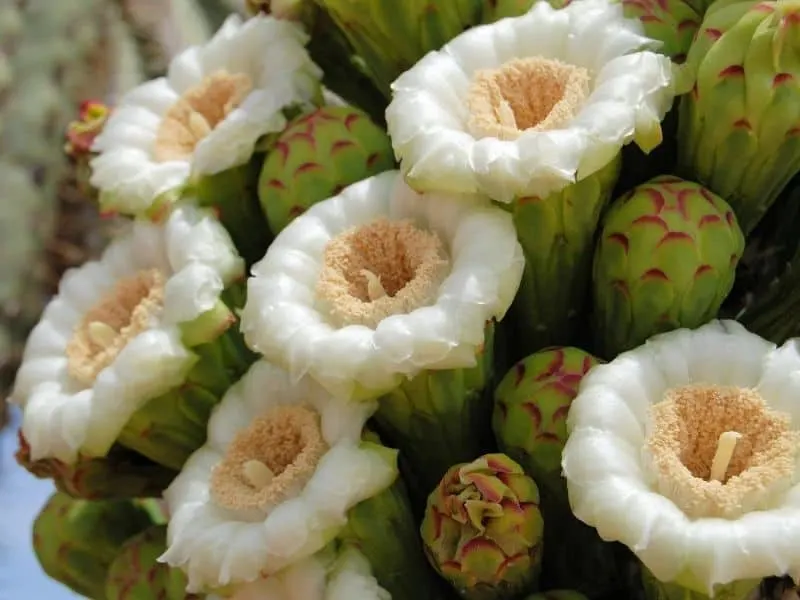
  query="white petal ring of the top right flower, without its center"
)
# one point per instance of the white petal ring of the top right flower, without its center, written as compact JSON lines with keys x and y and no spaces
{"x":427,"y":118}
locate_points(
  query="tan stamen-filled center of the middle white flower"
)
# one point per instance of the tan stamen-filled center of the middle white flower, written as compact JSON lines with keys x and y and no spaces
{"x":380,"y":269}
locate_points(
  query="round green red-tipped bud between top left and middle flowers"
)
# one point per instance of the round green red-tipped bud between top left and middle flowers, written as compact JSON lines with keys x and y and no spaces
{"x":316,"y":157}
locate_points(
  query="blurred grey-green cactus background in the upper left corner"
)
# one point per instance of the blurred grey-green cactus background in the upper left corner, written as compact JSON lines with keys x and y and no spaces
{"x":54,"y":54}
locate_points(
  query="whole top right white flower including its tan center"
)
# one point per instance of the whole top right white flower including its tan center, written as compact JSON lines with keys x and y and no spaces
{"x":527,"y":105}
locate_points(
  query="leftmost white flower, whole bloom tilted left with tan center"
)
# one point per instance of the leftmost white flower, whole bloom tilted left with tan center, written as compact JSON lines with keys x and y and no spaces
{"x":111,"y":340}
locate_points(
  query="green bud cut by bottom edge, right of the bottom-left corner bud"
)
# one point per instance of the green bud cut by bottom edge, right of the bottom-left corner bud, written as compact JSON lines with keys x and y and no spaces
{"x":136,"y":574}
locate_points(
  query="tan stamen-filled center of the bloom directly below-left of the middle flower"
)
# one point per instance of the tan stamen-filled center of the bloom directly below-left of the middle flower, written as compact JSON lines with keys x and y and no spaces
{"x":270,"y":460}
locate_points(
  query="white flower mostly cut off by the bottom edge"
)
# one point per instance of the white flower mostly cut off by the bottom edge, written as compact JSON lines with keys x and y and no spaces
{"x":324,"y":576}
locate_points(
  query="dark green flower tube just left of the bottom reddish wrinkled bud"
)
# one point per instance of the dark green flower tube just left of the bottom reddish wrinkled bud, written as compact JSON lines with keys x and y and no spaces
{"x":384,"y":530}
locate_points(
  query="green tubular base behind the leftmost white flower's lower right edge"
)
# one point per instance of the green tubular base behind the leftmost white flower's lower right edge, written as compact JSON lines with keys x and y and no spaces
{"x":170,"y":427}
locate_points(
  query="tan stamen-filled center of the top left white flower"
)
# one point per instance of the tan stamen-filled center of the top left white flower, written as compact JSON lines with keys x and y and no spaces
{"x":197,"y":112}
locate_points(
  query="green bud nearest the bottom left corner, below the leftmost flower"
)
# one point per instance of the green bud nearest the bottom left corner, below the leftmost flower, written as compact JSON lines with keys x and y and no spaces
{"x":76,"y":541}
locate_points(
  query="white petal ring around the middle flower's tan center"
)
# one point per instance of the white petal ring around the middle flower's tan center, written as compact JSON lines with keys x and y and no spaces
{"x":282,"y":320}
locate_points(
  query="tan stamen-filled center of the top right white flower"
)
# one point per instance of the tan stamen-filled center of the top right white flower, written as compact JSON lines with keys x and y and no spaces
{"x":534,"y":93}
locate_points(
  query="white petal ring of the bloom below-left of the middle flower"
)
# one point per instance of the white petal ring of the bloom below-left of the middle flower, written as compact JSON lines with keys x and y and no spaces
{"x":217,"y":547}
